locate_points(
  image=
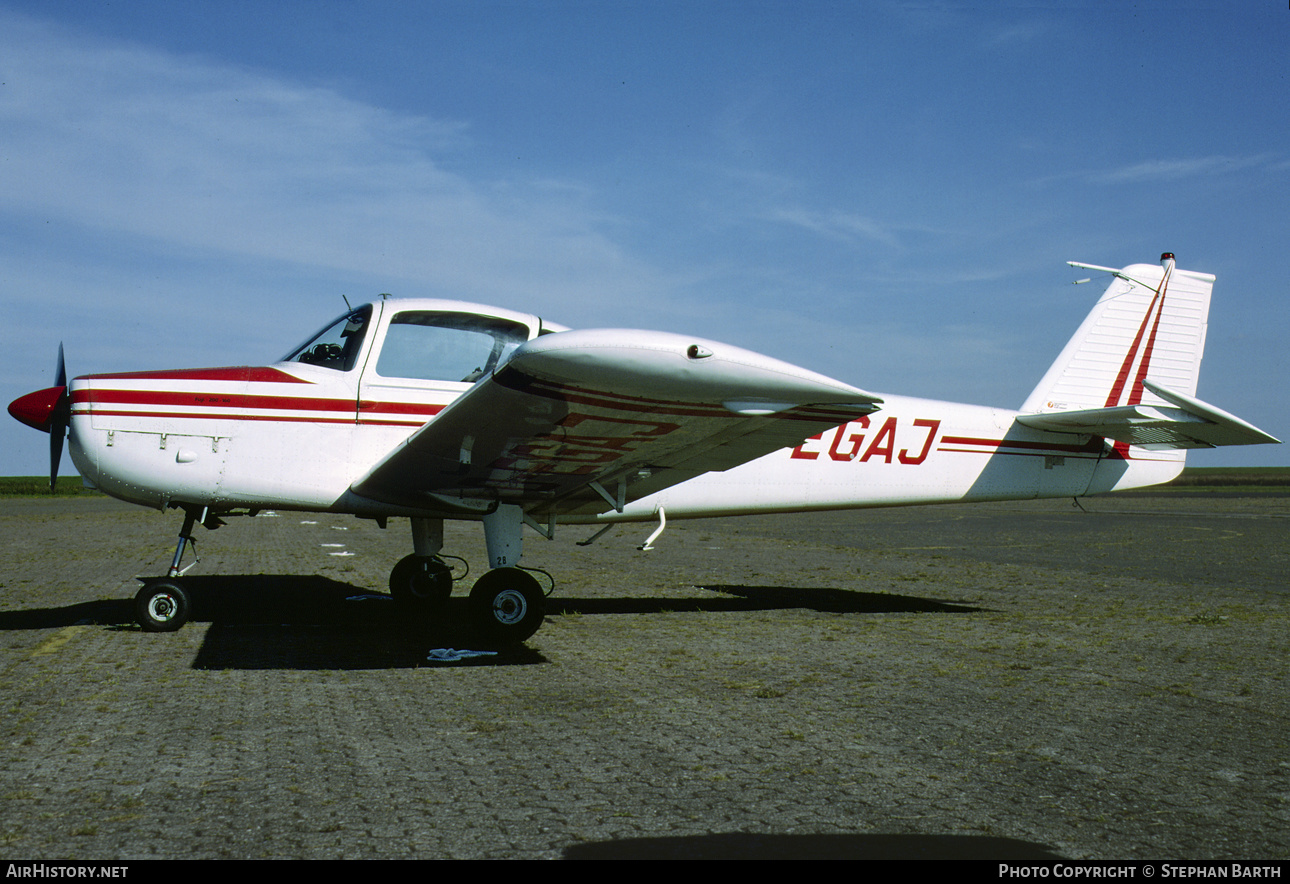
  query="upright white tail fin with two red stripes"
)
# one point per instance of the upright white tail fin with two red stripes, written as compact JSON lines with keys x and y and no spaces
{"x":1149,"y":325}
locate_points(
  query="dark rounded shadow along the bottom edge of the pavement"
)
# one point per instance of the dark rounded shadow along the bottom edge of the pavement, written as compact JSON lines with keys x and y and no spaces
{"x":739,"y":846}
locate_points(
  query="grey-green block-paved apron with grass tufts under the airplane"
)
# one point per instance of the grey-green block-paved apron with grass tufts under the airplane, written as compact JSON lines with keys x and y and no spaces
{"x":1017,"y":681}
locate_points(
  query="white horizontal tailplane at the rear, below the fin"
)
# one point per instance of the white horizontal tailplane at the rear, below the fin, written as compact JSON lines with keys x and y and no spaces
{"x":1185,"y":423}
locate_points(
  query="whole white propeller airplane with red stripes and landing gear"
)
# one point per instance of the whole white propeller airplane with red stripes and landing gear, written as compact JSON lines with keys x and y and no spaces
{"x":441,"y":410}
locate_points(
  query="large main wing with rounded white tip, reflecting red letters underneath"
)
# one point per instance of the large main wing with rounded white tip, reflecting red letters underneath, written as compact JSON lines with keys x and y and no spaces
{"x":590,"y":420}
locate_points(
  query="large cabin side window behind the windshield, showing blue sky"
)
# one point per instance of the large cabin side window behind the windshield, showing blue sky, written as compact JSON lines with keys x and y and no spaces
{"x":438,"y":347}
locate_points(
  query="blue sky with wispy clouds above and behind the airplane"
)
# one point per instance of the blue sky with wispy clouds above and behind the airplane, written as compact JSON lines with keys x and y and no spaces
{"x":880,"y":192}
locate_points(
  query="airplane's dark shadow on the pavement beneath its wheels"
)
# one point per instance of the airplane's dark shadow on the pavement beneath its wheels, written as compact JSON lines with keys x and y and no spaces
{"x":284,"y":621}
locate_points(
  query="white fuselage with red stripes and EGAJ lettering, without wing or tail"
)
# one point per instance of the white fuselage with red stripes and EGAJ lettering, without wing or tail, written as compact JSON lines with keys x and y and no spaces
{"x":301,"y":433}
